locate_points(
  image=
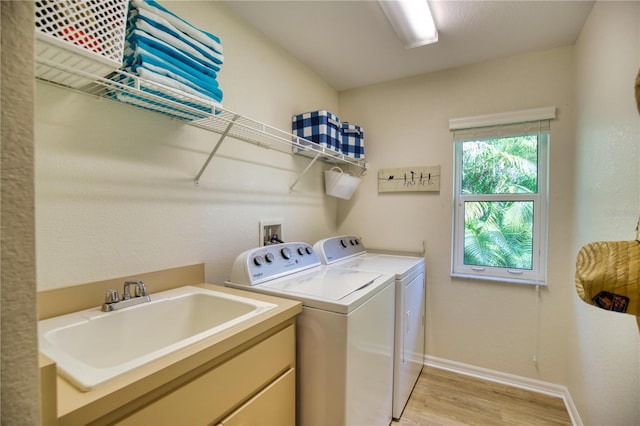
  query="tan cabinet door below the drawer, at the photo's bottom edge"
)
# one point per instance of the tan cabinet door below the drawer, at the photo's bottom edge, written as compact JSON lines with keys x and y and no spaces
{"x":275,"y":405}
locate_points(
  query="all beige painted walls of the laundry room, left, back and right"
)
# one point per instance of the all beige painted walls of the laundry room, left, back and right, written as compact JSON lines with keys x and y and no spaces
{"x":114,"y":192}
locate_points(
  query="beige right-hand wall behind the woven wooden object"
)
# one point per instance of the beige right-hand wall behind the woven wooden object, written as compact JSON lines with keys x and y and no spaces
{"x":604,"y":362}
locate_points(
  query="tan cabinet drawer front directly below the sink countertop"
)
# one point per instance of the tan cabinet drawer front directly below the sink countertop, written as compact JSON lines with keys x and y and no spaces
{"x":208,"y":397}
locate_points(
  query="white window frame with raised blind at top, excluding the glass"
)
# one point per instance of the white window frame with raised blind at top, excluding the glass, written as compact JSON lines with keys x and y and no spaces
{"x":494,"y":126}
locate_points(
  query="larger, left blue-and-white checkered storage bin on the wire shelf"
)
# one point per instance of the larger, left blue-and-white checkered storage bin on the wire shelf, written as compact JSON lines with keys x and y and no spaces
{"x":321,"y":127}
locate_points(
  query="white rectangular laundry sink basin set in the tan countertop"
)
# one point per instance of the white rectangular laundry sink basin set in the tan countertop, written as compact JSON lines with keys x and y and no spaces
{"x":91,"y":347}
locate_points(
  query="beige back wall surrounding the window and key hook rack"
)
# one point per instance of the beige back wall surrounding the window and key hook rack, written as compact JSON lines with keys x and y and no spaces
{"x":485,"y":324}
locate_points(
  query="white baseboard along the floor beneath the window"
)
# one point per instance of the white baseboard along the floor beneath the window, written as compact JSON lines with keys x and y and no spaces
{"x":526,"y":383}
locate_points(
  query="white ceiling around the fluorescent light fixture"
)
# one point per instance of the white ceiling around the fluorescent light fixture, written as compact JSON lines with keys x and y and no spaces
{"x":351,"y":43}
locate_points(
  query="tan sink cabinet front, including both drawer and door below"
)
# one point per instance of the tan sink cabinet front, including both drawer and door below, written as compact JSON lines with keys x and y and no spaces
{"x":256,"y":386}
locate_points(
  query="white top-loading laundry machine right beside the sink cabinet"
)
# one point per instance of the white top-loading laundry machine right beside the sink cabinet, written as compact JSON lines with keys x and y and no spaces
{"x":345,"y":333}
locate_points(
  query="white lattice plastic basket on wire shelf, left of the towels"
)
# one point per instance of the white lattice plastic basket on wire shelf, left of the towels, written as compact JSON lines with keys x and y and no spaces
{"x":83,"y":35}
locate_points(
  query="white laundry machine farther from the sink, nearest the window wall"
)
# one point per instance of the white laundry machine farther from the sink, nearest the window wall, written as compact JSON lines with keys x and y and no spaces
{"x":349,"y":252}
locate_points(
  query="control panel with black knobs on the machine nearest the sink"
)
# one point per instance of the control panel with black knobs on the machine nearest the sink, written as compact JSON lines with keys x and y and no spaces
{"x":274,"y":261}
